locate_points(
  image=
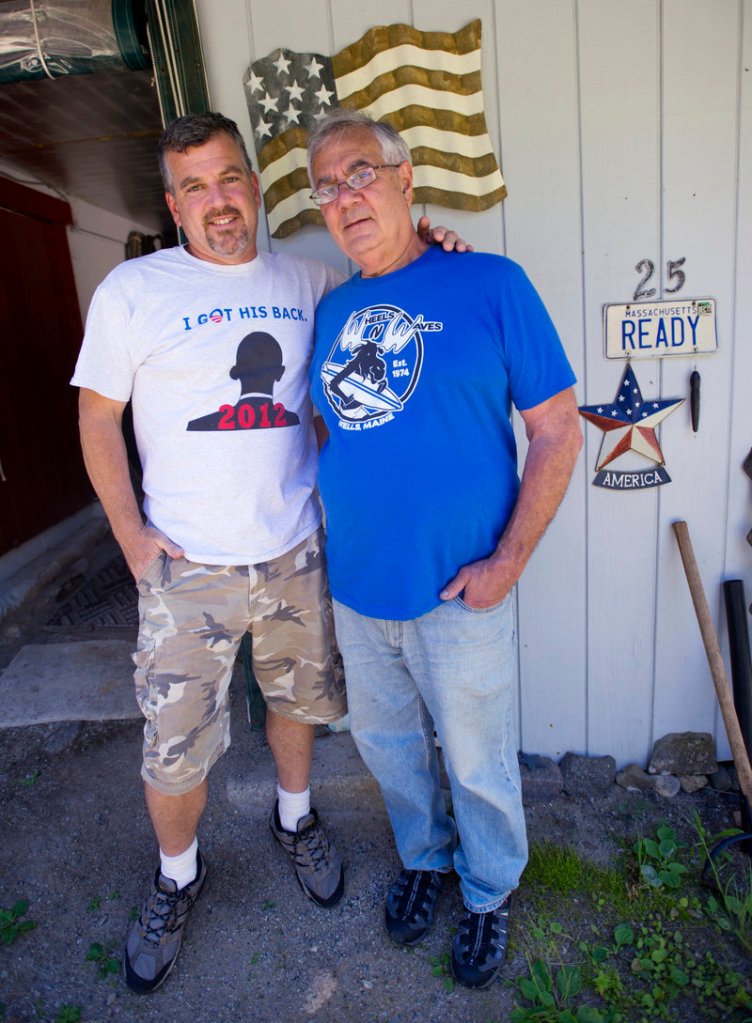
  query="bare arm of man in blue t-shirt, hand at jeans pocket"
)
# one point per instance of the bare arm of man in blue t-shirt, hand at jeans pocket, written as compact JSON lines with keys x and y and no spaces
{"x":555,"y":440}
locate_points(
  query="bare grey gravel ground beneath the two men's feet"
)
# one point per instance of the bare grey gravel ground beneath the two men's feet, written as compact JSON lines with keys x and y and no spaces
{"x":78,"y":847}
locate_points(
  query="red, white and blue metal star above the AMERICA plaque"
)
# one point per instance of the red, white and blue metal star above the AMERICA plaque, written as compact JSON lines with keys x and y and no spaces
{"x":629,"y":423}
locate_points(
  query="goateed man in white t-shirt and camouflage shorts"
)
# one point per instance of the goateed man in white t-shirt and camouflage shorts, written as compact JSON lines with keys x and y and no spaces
{"x":232,"y":540}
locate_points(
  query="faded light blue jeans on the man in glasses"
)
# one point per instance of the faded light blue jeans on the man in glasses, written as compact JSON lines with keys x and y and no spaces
{"x":452,"y":671}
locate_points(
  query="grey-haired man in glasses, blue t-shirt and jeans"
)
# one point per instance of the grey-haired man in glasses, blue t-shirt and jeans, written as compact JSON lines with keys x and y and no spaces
{"x":418,"y":362}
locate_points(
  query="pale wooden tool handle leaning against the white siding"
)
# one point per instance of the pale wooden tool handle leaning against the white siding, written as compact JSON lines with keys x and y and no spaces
{"x":718,"y":669}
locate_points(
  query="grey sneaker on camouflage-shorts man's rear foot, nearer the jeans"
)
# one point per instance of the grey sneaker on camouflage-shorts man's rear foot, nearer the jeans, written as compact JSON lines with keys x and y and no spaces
{"x":318,"y":864}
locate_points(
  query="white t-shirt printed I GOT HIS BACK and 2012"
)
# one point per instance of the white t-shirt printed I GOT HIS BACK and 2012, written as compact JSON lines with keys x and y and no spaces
{"x":215,"y":362}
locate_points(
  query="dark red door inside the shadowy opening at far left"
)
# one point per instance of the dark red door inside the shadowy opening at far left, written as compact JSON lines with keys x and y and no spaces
{"x":42,"y":477}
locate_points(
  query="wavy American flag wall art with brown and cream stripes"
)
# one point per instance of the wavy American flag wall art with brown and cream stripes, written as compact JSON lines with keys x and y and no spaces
{"x":425,"y":84}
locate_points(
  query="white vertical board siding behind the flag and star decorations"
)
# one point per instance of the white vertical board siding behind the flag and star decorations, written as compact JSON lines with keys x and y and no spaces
{"x":625,"y":132}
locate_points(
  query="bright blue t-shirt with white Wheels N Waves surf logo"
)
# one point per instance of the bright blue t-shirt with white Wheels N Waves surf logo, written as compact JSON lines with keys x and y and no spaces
{"x":415,"y":374}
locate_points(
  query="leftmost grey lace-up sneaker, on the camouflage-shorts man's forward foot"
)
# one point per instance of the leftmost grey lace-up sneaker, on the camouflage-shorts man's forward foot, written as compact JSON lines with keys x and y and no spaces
{"x":154,"y":941}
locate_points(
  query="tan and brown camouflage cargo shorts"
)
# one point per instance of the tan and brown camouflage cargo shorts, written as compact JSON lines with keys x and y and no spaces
{"x":193,"y":618}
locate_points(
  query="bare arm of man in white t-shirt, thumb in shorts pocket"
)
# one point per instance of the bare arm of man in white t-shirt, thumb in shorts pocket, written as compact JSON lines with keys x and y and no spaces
{"x":101,"y":422}
